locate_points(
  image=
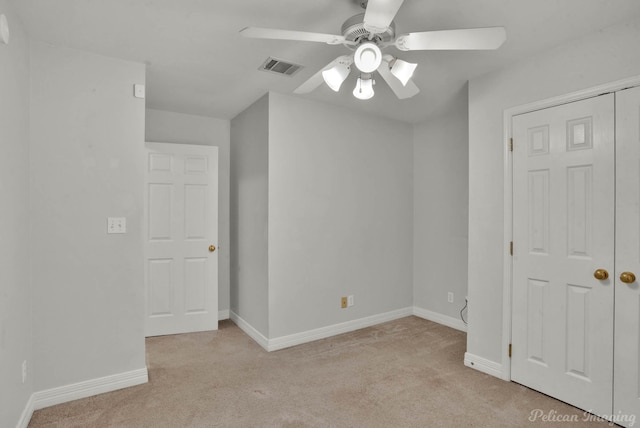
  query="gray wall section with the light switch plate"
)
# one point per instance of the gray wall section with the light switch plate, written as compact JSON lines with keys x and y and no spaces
{"x":87,"y":163}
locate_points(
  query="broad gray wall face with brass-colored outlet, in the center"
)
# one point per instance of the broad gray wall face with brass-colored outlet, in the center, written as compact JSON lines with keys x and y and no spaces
{"x":340,"y":214}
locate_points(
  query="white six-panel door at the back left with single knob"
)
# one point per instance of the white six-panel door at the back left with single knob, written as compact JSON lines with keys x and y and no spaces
{"x":181,"y":213}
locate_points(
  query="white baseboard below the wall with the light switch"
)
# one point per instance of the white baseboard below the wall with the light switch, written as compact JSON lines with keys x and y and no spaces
{"x":63,"y":394}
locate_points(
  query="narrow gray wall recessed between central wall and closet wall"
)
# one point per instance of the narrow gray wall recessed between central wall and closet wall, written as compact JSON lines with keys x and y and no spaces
{"x":441,"y":209}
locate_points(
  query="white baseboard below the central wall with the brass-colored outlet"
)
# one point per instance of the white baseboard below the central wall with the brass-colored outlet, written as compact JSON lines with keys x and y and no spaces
{"x":333,"y":330}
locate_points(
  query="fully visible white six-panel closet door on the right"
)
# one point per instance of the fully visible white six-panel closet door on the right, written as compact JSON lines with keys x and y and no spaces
{"x":563,"y":231}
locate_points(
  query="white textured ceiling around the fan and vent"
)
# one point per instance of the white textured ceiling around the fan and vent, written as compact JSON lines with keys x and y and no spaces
{"x":197,"y":63}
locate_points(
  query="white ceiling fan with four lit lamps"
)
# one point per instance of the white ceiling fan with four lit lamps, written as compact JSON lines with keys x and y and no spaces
{"x":368,"y":34}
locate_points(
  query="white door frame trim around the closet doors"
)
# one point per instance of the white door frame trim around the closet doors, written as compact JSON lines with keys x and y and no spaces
{"x":507,"y":264}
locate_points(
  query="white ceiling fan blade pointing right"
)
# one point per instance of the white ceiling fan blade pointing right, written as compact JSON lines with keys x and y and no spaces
{"x":467,"y":39}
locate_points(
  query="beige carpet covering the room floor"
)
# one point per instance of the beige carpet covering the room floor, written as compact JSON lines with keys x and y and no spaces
{"x":405,"y":373}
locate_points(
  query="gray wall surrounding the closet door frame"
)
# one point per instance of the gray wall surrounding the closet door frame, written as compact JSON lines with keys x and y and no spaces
{"x":602,"y":57}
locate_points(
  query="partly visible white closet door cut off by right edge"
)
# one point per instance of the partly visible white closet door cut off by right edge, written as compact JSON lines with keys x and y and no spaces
{"x":627,"y":314}
